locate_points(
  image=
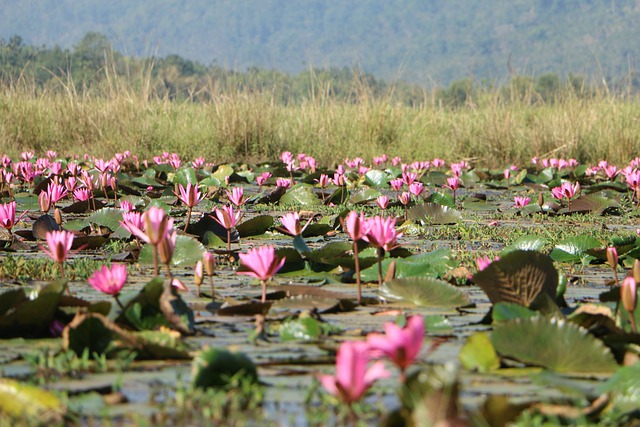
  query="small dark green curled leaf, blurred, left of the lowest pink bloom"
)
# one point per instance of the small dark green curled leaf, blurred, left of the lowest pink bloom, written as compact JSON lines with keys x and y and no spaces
{"x":215,"y":367}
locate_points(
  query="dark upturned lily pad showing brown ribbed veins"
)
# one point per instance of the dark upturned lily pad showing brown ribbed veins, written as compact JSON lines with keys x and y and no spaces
{"x":518,"y":277}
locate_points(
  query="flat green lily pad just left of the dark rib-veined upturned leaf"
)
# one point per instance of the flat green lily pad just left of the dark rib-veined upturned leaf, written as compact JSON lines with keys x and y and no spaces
{"x":424,"y":292}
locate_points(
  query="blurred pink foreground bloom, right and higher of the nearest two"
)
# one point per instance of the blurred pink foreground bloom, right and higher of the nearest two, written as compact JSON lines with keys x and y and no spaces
{"x":400,"y":345}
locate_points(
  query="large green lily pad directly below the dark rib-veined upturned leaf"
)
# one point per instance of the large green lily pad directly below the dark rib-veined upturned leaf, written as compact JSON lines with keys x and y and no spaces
{"x":554,"y":344}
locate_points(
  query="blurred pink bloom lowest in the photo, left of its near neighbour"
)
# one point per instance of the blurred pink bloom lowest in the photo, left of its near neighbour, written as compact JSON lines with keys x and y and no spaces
{"x":353,"y":378}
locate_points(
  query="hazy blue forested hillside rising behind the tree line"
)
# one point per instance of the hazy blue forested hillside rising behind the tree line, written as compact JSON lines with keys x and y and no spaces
{"x":422,"y":41}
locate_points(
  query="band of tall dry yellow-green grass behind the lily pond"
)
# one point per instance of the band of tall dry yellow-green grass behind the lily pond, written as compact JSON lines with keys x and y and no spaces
{"x":127,"y":114}
